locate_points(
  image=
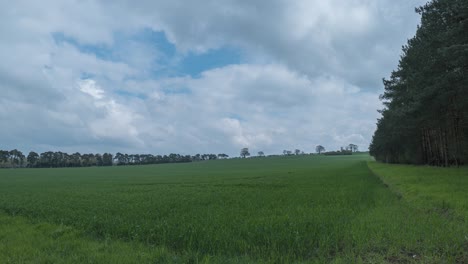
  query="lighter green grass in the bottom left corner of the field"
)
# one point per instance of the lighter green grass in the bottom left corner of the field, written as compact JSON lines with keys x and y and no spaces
{"x":23,"y":242}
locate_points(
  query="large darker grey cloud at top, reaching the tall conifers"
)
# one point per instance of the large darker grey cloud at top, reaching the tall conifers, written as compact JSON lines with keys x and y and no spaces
{"x":355,"y":40}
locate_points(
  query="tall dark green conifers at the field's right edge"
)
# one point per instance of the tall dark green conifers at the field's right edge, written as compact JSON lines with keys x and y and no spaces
{"x":424,"y":120}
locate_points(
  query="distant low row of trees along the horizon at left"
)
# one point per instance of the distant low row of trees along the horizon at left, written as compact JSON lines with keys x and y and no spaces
{"x":50,"y":159}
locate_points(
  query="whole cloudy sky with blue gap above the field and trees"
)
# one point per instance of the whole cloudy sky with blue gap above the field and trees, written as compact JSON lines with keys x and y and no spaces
{"x":189,"y":77}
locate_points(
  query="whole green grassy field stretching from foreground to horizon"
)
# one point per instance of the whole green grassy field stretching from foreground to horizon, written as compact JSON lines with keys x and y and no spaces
{"x":305,"y":209}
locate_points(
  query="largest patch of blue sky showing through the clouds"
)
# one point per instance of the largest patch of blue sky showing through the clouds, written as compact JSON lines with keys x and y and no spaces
{"x":167,"y":62}
